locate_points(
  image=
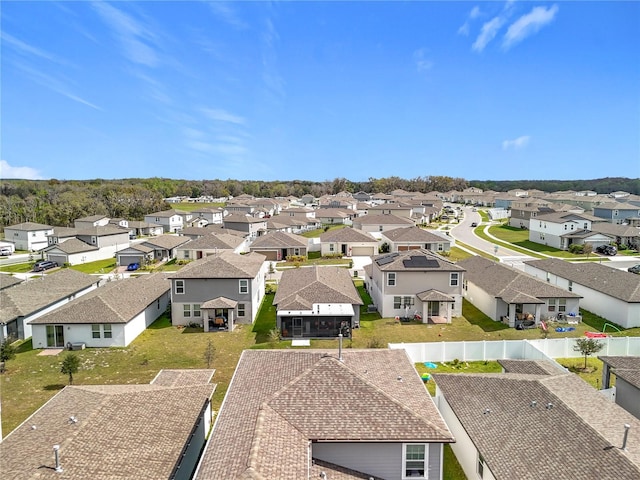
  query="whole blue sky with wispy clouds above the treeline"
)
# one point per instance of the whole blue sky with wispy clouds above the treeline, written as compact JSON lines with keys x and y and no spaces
{"x":320,"y":90}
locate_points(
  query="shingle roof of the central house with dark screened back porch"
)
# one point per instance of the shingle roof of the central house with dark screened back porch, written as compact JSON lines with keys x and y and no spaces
{"x":309,"y":285}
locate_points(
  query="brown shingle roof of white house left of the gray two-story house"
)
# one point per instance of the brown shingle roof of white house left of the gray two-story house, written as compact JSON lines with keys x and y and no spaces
{"x":116,"y":302}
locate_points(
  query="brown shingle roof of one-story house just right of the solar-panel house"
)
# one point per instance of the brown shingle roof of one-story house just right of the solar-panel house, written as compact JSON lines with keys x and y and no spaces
{"x":509,"y":284}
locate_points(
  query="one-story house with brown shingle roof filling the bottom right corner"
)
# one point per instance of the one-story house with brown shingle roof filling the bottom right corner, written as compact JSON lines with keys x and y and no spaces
{"x":537,"y":426}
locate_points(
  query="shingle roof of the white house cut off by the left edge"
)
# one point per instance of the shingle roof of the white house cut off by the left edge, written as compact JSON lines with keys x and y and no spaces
{"x":41,"y":291}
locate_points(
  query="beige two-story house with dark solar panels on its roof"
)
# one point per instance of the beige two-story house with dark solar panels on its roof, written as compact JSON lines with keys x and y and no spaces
{"x":403,"y":284}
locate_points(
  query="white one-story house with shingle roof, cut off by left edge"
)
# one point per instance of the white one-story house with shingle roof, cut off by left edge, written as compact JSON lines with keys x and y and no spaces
{"x":38,"y":296}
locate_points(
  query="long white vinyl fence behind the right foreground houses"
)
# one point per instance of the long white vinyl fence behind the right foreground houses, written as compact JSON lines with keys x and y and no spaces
{"x":543,"y":349}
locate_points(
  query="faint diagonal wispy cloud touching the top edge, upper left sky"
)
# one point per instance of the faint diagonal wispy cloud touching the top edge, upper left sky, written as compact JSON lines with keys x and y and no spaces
{"x":134,"y":37}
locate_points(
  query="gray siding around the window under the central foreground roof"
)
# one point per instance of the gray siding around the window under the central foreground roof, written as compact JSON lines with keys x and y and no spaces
{"x":382,"y":460}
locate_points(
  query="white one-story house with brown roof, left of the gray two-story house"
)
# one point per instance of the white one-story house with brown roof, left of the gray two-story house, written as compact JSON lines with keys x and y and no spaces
{"x":110,"y":316}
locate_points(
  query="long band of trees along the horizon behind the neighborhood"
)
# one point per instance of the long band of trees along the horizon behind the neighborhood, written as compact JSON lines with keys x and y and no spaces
{"x":60,"y":202}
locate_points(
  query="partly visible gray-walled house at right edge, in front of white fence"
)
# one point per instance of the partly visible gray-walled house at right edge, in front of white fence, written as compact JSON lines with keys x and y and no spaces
{"x":627,"y":373}
